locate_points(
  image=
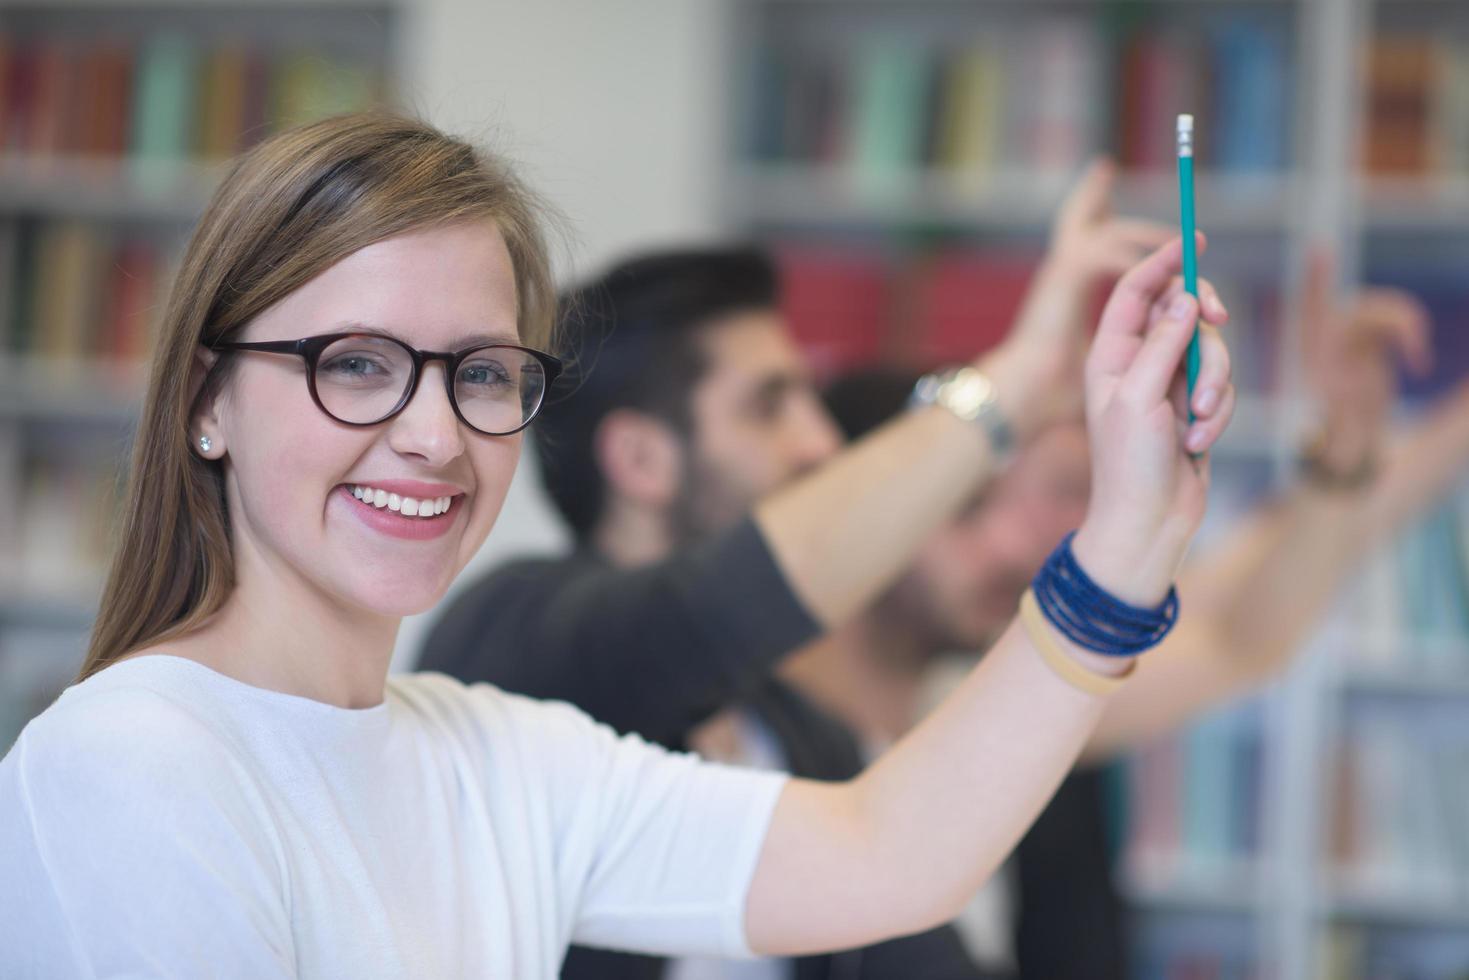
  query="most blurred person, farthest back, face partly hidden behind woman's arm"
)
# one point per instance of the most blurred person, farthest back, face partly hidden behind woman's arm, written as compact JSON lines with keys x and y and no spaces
{"x":1260,"y":594}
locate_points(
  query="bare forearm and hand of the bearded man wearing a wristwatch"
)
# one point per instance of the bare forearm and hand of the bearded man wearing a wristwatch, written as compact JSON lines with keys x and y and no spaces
{"x":848,"y":531}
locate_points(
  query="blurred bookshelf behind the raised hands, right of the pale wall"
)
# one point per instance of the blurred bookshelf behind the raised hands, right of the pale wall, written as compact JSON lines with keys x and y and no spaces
{"x":904,"y":158}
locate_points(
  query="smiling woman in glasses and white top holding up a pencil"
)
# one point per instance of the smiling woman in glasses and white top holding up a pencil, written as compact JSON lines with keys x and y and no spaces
{"x":236,"y":787}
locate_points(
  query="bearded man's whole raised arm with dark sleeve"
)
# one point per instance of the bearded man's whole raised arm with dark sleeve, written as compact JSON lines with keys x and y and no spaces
{"x":704,"y":625}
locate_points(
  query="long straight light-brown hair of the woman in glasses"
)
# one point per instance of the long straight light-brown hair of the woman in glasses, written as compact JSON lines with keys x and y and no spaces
{"x":289,"y":209}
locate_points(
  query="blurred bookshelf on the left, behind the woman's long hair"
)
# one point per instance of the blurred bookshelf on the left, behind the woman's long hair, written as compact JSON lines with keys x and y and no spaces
{"x":115,"y":124}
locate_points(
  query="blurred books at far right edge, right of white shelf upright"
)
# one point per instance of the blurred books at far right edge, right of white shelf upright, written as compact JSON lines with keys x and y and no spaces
{"x":1395,"y":873}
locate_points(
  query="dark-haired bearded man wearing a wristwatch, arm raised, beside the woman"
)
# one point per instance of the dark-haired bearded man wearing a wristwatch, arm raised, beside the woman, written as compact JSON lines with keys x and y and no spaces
{"x":694,"y":428}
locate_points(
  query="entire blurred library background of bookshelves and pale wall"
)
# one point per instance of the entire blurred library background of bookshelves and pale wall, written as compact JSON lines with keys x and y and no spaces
{"x":904,"y":159}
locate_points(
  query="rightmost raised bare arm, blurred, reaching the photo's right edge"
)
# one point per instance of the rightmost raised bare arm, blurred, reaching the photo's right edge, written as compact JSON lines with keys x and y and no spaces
{"x":1255,"y":600}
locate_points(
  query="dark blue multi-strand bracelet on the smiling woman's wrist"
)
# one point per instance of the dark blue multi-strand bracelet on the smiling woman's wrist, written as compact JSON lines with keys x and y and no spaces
{"x":1091,"y":616}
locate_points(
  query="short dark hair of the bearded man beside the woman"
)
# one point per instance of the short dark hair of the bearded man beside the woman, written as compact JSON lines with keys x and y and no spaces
{"x":632,"y":339}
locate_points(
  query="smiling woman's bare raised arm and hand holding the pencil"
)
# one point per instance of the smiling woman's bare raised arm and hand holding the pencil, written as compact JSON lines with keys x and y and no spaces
{"x":906,"y":844}
